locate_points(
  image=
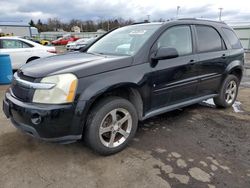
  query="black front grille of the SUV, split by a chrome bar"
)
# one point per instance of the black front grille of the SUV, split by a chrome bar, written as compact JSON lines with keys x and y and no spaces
{"x":20,"y":92}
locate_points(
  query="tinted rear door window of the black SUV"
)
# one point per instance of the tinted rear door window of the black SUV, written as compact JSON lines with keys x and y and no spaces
{"x":209,"y":39}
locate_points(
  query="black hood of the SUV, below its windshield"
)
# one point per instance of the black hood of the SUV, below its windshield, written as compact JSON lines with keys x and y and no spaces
{"x":78,"y":63}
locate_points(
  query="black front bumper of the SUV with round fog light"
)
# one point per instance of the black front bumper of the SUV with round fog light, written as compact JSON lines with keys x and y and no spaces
{"x":56,"y":123}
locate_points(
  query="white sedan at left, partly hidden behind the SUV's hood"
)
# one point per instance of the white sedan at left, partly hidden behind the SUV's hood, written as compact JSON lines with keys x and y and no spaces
{"x":22,"y":51}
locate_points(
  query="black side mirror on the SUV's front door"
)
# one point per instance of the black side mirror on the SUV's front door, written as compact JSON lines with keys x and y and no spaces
{"x":165,"y":53}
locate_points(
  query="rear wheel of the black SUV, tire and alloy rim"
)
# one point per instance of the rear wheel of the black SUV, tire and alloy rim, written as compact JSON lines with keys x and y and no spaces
{"x":228,"y":92}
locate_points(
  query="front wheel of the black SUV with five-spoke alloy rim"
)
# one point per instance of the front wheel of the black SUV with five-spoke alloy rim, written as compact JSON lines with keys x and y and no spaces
{"x":112,"y":123}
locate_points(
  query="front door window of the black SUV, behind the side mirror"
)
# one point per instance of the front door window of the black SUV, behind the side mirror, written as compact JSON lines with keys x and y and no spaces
{"x":178,"y":37}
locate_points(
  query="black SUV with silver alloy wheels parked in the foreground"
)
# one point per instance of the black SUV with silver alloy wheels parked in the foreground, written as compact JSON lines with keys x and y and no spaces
{"x":131,"y":73}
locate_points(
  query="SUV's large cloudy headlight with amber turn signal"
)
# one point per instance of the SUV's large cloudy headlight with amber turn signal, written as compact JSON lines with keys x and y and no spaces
{"x":63,"y":91}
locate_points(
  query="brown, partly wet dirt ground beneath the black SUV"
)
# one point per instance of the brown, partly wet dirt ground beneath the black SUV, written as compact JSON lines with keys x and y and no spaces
{"x":198,"y":146}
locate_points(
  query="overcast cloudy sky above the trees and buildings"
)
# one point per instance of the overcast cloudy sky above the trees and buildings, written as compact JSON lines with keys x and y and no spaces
{"x":13,"y":10}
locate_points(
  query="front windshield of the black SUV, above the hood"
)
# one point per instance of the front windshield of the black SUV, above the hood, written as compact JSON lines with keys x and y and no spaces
{"x":124,"y":41}
